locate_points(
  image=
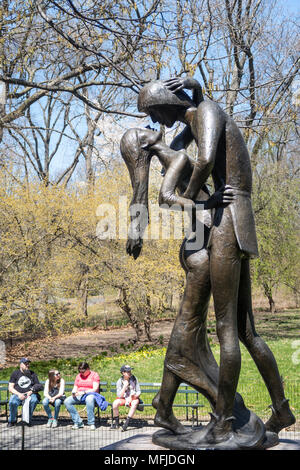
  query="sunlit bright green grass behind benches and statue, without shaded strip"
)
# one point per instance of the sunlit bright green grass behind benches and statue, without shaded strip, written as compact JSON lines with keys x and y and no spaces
{"x":148,"y":367}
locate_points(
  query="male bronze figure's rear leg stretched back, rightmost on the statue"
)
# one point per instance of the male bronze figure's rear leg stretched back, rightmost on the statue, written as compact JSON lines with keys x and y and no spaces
{"x":262,"y":355}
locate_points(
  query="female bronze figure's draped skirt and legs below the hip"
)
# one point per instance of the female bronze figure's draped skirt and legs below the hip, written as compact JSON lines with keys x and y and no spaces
{"x":189,"y":357}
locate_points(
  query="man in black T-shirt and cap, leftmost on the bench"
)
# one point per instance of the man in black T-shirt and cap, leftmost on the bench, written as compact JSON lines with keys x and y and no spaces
{"x":23,"y":383}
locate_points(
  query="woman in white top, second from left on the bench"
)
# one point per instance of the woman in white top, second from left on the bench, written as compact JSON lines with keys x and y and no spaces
{"x":54,"y":394}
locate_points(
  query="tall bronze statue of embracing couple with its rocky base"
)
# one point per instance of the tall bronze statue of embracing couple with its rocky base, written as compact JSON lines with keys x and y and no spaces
{"x":221,"y":266}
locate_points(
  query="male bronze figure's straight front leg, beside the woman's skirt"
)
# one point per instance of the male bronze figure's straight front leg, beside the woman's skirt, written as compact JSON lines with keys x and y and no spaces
{"x":225,"y":266}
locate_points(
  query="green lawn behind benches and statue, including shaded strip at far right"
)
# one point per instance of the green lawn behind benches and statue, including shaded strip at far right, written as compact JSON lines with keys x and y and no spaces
{"x":280,"y":331}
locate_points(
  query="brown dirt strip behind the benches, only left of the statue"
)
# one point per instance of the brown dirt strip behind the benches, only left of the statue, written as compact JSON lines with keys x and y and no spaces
{"x":85,"y":343}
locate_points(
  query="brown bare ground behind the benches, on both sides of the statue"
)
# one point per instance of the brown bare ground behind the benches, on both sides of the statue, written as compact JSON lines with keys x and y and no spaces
{"x":90,"y":342}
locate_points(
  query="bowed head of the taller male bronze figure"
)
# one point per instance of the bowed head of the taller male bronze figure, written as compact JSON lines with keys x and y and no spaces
{"x":161,"y":104}
